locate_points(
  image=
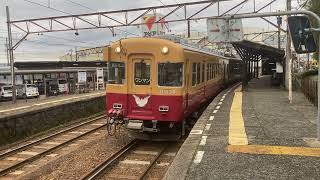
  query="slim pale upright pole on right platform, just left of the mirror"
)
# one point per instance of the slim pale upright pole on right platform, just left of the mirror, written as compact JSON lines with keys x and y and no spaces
{"x":288,"y":59}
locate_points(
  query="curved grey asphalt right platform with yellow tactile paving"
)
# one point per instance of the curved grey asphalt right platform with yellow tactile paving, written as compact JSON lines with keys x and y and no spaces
{"x":252,"y":134}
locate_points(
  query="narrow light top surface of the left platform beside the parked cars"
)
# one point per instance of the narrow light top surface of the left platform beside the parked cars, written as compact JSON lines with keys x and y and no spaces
{"x":9,"y":109}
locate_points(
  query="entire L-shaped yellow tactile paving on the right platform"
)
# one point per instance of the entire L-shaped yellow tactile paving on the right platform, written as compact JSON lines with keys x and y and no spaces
{"x":238,"y":141}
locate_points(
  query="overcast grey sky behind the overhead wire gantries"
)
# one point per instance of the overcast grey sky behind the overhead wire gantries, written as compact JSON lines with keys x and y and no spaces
{"x":51,"y":45}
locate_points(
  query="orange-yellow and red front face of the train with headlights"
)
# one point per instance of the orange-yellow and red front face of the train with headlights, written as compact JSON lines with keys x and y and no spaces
{"x":145,"y":88}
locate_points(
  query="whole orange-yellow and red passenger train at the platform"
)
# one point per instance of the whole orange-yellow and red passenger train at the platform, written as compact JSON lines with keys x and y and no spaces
{"x":154,"y":84}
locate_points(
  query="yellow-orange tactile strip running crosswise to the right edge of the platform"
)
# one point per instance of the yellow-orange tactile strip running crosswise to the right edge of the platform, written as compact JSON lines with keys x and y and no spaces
{"x":274,"y":150}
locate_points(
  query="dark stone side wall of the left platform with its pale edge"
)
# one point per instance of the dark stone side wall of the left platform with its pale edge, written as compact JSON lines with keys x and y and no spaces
{"x":21,"y":123}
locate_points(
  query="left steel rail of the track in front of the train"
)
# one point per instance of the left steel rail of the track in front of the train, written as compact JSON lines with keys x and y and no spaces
{"x":98,"y":171}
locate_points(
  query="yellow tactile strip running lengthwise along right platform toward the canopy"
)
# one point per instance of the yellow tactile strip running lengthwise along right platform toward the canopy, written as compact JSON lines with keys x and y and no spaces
{"x":237,"y":132}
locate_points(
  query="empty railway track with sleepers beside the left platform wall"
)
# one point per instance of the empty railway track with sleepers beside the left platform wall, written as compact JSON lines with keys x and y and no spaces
{"x":16,"y":158}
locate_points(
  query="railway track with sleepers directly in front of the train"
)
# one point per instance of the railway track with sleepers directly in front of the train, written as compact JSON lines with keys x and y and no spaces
{"x":112,"y":168}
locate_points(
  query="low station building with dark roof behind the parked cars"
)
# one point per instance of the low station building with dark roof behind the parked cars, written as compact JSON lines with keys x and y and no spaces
{"x":41,"y":73}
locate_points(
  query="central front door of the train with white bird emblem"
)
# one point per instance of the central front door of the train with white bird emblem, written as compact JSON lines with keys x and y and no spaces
{"x":140,"y":85}
